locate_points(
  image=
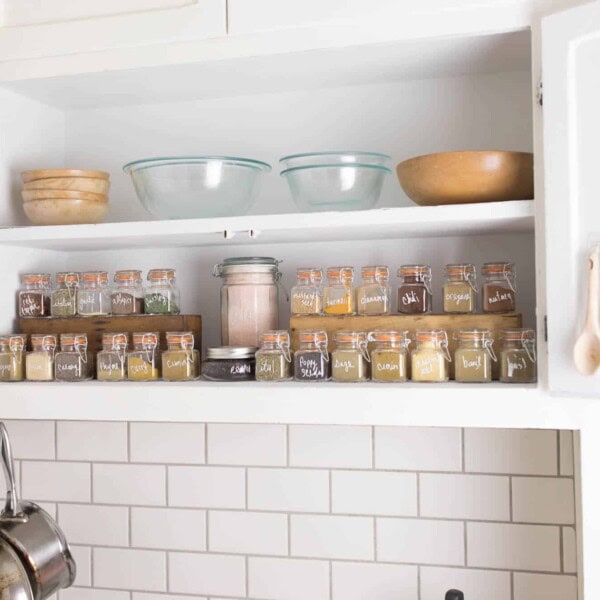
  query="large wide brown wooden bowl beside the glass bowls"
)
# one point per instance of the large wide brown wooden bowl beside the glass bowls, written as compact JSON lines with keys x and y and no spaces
{"x":467,"y":177}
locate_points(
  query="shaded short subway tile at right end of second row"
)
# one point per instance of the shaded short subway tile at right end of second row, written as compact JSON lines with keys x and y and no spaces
{"x":543,"y":500}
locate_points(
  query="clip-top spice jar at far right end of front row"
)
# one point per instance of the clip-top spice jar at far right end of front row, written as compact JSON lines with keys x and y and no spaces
{"x":518,"y":360}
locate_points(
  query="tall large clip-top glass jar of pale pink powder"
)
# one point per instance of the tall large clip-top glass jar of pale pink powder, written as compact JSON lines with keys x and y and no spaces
{"x":249,"y":299}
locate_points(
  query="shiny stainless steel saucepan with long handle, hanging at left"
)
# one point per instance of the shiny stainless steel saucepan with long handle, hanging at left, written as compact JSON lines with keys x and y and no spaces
{"x":34,"y":536}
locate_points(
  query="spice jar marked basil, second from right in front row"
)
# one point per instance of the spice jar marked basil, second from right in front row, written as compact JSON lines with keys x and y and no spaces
{"x":474,"y":355}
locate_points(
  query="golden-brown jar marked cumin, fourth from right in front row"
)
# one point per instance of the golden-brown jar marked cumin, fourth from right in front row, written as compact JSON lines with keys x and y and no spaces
{"x":389,"y":356}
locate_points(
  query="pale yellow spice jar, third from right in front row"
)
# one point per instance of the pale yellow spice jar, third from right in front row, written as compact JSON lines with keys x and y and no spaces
{"x":430,"y":359}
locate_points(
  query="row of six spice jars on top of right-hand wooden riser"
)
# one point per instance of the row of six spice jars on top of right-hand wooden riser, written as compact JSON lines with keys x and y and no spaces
{"x":338,"y":295}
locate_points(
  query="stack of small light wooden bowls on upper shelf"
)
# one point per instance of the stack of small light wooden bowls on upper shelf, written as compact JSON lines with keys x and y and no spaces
{"x":65,"y":196}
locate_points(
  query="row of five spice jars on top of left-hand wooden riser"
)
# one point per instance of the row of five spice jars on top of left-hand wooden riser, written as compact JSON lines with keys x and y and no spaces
{"x":90,"y":294}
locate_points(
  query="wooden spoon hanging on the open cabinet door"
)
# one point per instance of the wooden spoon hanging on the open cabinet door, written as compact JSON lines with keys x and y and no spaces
{"x":587,"y":348}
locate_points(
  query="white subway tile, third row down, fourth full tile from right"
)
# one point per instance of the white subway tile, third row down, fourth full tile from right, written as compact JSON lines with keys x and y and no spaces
{"x":246,"y":532}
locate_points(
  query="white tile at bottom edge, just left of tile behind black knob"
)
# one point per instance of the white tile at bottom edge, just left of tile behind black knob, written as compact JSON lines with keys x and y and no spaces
{"x":363,"y":581}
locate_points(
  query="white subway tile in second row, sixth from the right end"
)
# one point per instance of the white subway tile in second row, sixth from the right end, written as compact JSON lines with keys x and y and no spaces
{"x":129,"y":484}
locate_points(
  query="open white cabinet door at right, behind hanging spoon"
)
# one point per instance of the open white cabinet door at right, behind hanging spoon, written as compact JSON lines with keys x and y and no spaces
{"x":571,"y":125}
